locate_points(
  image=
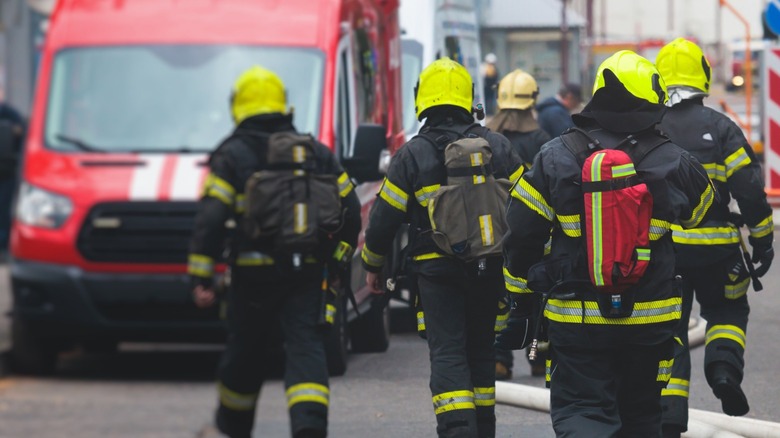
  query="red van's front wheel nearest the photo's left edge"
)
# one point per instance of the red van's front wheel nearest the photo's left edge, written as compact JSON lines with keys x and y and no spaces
{"x":31,"y":354}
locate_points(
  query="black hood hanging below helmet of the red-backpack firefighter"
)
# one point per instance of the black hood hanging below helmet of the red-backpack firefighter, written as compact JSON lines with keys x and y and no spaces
{"x":615,"y":109}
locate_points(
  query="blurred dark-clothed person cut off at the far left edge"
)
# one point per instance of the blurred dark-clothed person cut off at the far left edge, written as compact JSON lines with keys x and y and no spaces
{"x":9,"y":166}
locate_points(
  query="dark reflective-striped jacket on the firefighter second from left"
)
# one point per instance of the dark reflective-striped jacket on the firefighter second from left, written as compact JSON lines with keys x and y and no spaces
{"x":416,"y":172}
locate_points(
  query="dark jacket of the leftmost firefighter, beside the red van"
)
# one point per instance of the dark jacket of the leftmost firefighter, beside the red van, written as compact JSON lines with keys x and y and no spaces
{"x":230,"y":166}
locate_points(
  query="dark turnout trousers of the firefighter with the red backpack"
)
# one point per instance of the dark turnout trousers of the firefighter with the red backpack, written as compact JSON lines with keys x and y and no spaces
{"x":608,"y":392}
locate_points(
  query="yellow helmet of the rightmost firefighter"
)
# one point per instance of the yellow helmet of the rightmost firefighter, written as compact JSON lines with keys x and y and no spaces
{"x":683,"y":64}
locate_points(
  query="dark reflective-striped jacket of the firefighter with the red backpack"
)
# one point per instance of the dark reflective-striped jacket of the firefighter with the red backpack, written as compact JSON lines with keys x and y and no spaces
{"x":548,"y":201}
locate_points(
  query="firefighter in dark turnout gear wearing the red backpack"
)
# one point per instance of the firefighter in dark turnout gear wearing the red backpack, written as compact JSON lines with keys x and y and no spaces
{"x":607,"y":369}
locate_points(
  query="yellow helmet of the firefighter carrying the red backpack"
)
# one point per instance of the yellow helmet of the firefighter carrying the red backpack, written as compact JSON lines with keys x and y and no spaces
{"x":638,"y":75}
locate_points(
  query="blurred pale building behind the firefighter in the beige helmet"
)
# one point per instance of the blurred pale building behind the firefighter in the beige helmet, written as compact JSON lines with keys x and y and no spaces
{"x":528,"y":34}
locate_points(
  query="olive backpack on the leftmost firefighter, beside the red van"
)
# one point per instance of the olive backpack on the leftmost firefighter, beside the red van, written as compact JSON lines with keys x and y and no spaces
{"x":288,"y":202}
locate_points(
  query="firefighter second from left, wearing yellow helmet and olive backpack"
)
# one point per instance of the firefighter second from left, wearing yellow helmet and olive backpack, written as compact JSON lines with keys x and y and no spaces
{"x":460,"y":305}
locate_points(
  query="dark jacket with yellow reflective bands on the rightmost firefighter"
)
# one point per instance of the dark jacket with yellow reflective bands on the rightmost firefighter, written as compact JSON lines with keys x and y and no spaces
{"x":719,"y":145}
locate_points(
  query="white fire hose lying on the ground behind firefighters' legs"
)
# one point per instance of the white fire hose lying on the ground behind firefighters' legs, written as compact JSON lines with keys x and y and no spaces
{"x":701,"y":424}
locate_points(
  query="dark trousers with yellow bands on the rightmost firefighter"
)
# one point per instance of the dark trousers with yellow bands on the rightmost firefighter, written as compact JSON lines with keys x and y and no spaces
{"x":725,"y":307}
